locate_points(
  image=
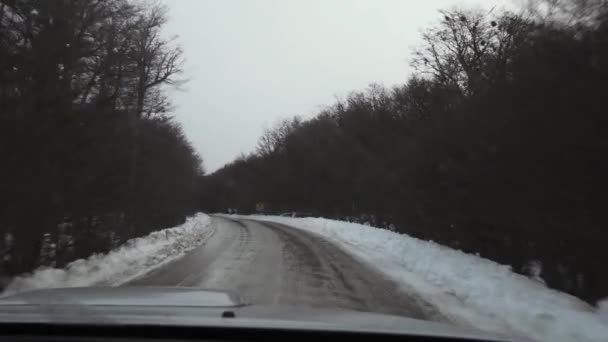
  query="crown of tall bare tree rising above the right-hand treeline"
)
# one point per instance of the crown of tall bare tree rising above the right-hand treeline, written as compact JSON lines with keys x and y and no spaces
{"x":468,"y":50}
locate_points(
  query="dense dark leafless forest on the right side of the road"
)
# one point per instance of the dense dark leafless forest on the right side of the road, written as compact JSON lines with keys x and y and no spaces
{"x":496,"y":145}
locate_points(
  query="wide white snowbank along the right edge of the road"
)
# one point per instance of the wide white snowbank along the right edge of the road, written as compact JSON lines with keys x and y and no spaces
{"x":466,"y":289}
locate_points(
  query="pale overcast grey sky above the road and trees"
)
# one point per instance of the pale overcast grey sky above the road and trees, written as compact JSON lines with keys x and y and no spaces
{"x":252,"y":62}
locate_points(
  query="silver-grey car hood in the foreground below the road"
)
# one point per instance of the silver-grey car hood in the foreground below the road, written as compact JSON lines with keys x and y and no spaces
{"x":197,"y":307}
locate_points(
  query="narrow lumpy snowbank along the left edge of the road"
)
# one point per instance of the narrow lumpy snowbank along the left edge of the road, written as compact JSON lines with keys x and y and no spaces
{"x":129,"y":261}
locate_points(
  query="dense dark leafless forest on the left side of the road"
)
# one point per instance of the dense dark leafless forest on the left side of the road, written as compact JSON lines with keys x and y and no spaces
{"x":90,"y":155}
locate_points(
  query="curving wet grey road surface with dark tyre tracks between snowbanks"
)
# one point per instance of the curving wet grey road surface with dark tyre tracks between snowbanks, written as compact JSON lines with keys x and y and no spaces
{"x":270,"y":263}
